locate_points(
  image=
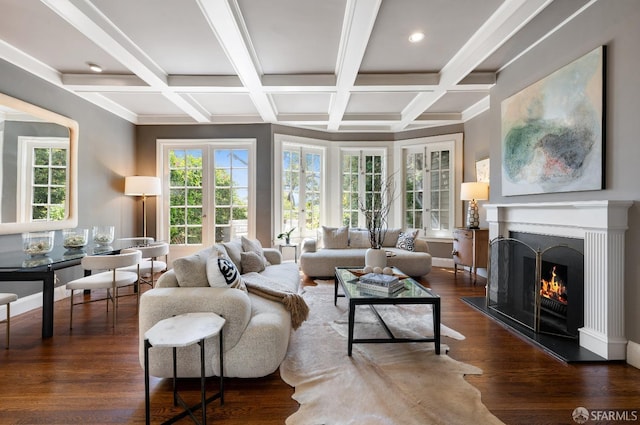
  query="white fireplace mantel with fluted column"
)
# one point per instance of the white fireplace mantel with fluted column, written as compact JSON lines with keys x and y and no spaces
{"x":602,"y":225}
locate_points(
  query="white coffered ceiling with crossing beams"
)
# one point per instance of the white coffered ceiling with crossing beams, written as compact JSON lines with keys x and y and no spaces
{"x":334,"y":65}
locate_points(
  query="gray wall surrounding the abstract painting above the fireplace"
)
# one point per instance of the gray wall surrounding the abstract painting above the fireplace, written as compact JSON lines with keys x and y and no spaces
{"x":610,"y":23}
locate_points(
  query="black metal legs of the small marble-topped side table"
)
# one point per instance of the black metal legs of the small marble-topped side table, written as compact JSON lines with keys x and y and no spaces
{"x":177,"y":399}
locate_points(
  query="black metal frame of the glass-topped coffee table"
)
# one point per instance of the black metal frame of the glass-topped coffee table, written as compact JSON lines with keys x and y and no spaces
{"x":372,"y":301}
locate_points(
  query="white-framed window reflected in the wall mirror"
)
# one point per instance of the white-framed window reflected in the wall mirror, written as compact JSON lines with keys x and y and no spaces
{"x":43,"y":177}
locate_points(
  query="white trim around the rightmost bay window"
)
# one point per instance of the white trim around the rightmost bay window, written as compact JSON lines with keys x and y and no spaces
{"x":453,"y":141}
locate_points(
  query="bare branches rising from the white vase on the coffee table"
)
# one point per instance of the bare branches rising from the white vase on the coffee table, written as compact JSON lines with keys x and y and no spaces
{"x":376,"y":207}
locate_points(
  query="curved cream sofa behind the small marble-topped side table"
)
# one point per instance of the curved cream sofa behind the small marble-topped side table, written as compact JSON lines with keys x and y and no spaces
{"x":256,"y":332}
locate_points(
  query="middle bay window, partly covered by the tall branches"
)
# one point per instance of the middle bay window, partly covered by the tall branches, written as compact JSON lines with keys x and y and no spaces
{"x":362,"y":174}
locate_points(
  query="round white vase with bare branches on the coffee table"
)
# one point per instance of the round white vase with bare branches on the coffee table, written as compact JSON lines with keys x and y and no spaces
{"x":376,"y":207}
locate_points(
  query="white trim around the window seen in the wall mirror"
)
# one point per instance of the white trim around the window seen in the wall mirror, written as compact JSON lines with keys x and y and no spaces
{"x":24,"y":181}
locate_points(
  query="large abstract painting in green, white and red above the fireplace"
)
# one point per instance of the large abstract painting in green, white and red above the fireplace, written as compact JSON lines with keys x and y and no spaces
{"x":553,"y":131}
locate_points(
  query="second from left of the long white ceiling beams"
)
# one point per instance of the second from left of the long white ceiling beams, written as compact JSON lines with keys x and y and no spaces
{"x":225,"y":20}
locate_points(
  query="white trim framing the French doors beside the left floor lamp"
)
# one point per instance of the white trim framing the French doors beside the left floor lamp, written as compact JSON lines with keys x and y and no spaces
{"x":163,"y":145}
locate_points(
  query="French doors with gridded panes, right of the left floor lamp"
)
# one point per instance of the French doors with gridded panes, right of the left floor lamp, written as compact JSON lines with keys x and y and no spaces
{"x":209,"y":193}
